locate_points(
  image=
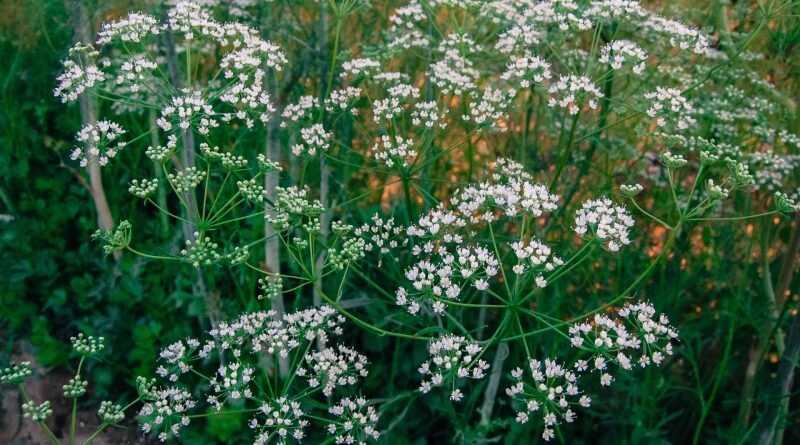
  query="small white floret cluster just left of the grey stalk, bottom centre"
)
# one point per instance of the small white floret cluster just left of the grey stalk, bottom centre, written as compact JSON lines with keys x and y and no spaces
{"x":452,"y":359}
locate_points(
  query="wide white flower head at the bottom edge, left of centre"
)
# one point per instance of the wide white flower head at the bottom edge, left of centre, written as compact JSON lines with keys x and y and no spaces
{"x":237,"y":347}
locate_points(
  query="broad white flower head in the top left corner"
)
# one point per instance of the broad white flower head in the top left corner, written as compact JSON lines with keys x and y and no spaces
{"x":134,"y":76}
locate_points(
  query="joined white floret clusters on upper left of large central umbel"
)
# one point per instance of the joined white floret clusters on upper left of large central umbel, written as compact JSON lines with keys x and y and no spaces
{"x":448,"y":264}
